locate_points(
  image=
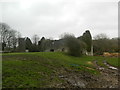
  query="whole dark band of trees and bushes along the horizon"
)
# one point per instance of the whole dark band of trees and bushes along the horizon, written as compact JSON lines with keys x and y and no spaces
{"x":12,"y":41}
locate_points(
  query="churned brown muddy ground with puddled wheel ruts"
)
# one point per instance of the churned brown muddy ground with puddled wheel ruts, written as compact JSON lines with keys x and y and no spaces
{"x":108,"y":78}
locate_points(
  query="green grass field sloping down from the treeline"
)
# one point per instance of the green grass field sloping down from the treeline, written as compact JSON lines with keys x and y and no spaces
{"x":41,"y":69}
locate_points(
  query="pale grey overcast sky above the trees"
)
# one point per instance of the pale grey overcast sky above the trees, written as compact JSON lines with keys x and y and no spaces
{"x":51,"y":18}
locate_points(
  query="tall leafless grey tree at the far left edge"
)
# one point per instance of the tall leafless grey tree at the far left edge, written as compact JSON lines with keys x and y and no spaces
{"x":8,"y":36}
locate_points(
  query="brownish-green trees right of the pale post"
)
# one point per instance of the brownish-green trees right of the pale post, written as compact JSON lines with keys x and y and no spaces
{"x":102,"y":43}
